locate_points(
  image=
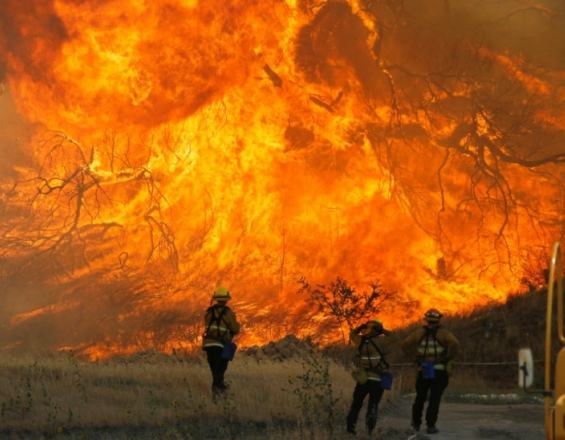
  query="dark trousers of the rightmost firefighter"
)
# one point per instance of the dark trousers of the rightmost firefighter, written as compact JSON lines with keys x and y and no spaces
{"x":435,"y":387}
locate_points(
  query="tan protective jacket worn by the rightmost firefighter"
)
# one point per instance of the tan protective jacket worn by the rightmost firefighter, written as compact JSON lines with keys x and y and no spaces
{"x":432,"y":344}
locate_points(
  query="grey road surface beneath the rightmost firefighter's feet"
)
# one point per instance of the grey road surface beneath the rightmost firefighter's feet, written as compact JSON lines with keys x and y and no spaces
{"x":467,"y":421}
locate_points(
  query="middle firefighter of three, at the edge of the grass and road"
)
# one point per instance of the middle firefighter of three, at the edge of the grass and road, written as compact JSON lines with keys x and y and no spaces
{"x":371,"y":365}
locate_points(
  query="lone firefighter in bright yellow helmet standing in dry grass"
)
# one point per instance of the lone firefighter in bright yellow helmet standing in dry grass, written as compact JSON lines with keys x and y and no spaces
{"x":221,"y":326}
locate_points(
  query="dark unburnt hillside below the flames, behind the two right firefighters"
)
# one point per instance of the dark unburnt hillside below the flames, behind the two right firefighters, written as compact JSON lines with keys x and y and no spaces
{"x":488,"y":335}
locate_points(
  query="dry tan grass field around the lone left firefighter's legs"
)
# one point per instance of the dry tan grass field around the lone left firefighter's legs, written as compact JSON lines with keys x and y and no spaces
{"x":157,"y":396}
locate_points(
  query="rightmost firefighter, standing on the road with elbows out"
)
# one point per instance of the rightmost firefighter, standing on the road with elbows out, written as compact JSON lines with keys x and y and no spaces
{"x":434,"y":348}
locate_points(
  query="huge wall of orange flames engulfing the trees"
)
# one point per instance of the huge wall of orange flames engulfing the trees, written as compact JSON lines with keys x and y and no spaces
{"x":182,"y":144}
